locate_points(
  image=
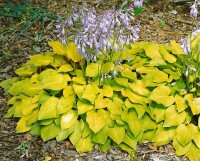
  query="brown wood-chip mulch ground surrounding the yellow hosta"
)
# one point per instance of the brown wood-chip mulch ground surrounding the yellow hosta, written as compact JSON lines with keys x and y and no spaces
{"x":161,"y":21}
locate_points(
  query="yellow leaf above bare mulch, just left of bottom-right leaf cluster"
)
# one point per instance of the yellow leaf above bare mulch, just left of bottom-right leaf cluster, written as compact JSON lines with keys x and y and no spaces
{"x":164,"y":135}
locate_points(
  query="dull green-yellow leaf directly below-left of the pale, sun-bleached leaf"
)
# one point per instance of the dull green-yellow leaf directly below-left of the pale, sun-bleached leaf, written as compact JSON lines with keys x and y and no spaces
{"x":50,"y":131}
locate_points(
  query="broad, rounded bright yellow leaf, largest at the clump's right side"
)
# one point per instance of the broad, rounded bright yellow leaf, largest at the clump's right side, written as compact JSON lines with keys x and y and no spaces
{"x":161,"y":95}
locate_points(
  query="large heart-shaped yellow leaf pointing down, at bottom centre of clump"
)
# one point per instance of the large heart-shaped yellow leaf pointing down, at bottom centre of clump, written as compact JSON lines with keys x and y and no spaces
{"x":96,"y":119}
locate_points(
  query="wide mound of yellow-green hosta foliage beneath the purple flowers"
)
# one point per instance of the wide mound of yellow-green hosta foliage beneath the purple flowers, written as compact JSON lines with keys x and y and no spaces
{"x":131,"y":96}
